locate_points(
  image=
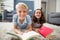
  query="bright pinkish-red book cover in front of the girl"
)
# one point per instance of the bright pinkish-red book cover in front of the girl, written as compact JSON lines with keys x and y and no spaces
{"x":44,"y":31}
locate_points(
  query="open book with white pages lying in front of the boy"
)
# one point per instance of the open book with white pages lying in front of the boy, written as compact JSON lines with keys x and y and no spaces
{"x":28,"y":36}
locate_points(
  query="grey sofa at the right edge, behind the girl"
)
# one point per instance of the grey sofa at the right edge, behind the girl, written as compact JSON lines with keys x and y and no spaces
{"x":54,"y":18}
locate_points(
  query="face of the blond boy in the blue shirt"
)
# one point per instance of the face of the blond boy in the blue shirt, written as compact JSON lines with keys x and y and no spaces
{"x":21,"y":11}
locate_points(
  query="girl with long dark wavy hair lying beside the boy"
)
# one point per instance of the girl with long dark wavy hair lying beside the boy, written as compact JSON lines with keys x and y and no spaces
{"x":38,"y":19}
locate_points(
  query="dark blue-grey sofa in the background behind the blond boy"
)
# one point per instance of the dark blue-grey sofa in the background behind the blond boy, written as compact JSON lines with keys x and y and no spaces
{"x":9,"y":15}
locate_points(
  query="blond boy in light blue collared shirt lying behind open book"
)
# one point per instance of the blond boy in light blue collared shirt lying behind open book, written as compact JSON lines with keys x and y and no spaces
{"x":22,"y":21}
